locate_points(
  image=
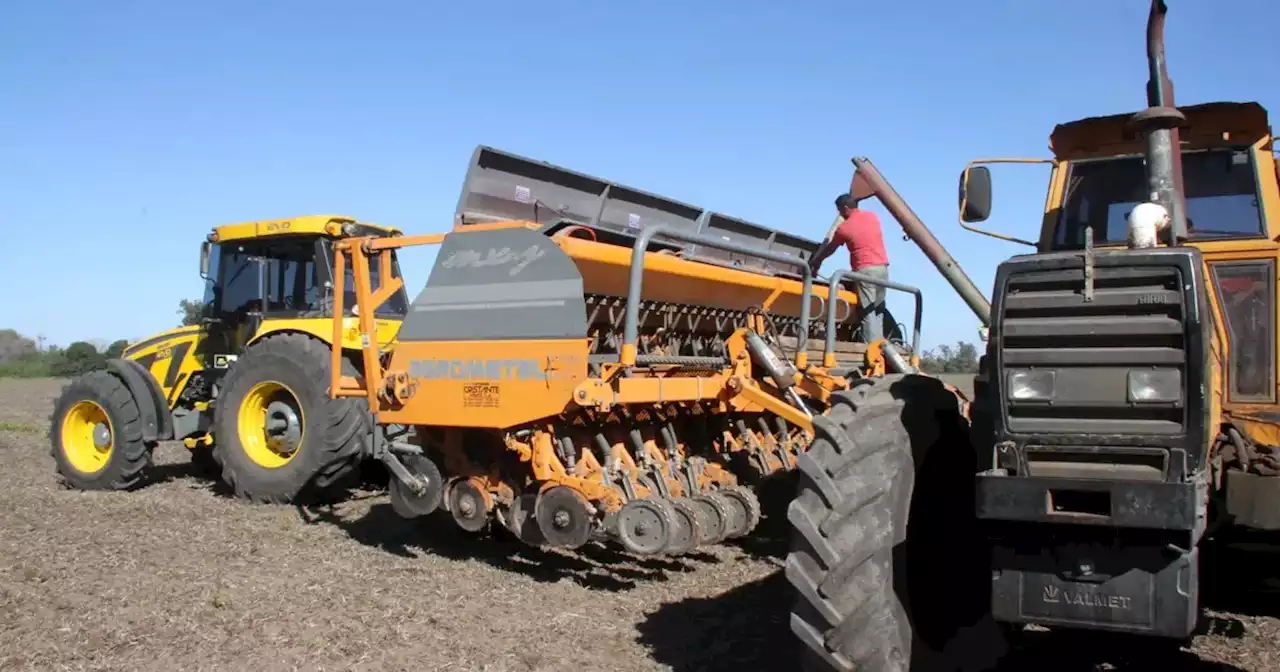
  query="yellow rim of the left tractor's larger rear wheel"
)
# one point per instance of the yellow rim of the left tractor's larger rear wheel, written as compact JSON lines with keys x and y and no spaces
{"x":271,"y":424}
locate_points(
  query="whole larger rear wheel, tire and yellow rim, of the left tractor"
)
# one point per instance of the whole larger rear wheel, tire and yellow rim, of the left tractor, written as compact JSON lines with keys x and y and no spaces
{"x":278,"y":437}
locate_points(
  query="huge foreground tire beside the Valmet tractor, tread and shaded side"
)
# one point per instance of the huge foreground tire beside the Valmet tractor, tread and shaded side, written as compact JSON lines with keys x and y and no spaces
{"x":886,"y":561}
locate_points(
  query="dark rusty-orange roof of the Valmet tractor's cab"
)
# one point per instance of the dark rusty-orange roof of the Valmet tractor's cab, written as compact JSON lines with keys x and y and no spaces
{"x":1208,"y":126}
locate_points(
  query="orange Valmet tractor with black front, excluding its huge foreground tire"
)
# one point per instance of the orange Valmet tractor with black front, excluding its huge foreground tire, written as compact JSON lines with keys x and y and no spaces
{"x":1127,"y":408}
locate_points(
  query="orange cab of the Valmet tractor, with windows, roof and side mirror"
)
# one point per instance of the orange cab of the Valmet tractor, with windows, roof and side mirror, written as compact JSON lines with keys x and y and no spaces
{"x":1231,"y":185}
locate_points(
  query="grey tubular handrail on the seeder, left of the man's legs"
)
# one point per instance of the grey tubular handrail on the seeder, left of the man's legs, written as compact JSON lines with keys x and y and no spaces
{"x":632,"y":327}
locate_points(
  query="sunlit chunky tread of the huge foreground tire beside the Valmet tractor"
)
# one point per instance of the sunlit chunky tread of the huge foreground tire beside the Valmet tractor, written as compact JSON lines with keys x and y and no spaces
{"x":851,"y":511}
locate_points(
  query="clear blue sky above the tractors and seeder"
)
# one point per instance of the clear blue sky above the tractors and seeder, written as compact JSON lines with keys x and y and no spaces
{"x":130,"y":129}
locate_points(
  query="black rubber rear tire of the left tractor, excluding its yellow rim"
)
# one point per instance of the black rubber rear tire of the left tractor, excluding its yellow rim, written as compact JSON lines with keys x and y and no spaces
{"x":333,"y":431}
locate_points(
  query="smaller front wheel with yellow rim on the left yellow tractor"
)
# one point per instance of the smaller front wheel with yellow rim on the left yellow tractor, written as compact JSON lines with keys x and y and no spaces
{"x":97,"y":435}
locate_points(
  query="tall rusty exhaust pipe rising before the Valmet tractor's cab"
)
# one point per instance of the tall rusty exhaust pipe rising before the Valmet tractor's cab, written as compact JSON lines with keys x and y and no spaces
{"x":1159,"y":125}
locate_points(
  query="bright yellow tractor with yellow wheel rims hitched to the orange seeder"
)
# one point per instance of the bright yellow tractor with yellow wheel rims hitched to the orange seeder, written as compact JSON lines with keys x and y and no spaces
{"x":268,"y":307}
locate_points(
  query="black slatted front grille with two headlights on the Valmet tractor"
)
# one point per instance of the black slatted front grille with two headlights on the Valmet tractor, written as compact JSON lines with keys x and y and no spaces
{"x":1085,"y":351}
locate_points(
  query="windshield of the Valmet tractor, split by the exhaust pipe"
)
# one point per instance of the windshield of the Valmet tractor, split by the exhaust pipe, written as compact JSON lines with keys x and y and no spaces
{"x":1222,"y":198}
